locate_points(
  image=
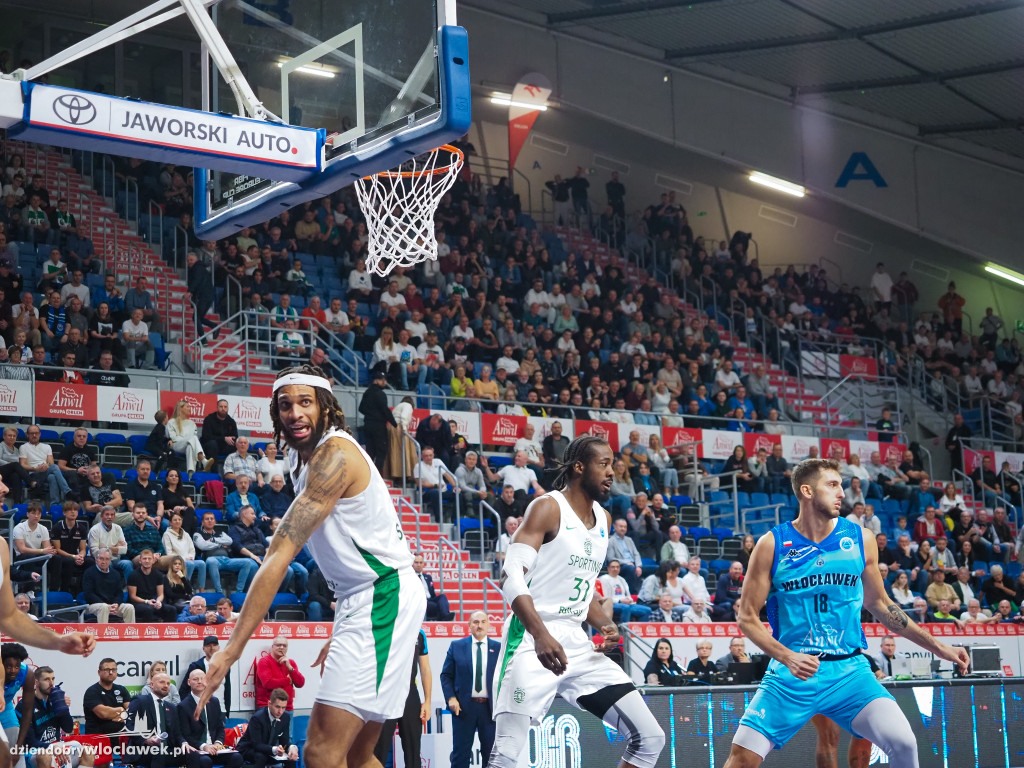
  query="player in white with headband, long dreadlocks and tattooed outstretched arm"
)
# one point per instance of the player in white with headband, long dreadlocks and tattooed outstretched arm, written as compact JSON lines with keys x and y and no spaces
{"x":344,"y":509}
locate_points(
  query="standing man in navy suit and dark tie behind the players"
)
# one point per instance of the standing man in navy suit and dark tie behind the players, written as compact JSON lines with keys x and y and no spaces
{"x":466,"y":682}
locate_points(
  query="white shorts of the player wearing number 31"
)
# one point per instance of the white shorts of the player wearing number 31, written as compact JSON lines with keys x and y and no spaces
{"x":525,"y":688}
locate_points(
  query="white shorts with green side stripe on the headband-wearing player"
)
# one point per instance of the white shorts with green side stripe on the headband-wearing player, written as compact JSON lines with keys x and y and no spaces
{"x":371,"y":660}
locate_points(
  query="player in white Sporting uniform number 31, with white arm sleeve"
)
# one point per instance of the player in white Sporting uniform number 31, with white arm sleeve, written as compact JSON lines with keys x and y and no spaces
{"x":548,"y":581}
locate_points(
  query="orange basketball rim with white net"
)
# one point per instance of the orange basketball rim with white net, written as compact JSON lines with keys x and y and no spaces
{"x":400,"y":207}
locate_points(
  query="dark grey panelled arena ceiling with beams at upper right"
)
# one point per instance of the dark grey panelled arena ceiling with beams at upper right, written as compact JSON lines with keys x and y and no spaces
{"x":952,"y":70}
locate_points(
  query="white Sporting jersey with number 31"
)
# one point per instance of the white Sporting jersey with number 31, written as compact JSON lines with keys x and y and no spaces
{"x":562,"y":582}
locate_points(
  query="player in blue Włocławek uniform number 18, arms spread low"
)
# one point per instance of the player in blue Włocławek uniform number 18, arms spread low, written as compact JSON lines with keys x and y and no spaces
{"x":817,"y":574}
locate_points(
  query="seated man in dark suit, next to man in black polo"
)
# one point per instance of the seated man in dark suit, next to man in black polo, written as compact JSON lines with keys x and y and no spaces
{"x":155,"y":715}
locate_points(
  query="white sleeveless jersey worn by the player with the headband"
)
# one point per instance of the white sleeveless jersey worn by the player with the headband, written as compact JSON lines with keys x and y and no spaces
{"x":362,"y":540}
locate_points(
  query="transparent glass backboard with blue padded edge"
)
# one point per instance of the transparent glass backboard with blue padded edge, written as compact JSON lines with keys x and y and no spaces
{"x":383,"y":80}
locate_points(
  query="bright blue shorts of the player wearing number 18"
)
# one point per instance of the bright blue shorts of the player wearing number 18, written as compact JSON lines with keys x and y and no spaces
{"x":839,"y":691}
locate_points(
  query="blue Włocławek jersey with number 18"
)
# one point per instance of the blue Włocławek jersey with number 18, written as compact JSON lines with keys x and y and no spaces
{"x":817,"y":593}
